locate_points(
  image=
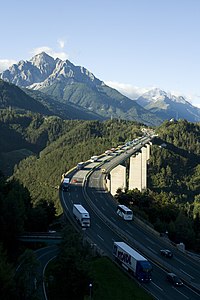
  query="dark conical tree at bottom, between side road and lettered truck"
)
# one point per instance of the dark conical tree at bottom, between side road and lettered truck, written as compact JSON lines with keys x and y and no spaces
{"x":70,"y":272}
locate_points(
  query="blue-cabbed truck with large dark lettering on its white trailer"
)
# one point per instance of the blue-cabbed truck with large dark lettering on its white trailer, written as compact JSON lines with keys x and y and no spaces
{"x":132,"y":261}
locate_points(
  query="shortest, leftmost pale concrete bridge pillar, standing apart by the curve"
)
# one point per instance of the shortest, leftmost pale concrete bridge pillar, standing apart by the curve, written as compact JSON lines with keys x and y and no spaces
{"x":118,"y":179}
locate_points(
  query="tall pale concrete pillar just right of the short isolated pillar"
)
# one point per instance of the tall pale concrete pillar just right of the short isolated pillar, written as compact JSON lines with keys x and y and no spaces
{"x":135,"y":172}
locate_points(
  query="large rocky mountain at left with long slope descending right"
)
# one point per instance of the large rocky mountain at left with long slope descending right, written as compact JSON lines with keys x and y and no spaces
{"x":76,"y":85}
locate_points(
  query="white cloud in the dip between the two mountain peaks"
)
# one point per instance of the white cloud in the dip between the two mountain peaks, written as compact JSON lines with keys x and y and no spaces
{"x":128,"y":90}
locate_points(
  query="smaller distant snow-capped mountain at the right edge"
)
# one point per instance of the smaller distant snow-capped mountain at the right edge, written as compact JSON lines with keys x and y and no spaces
{"x":168,"y":106}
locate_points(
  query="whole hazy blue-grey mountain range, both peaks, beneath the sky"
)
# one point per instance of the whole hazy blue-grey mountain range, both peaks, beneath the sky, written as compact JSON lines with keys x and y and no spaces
{"x":74,"y":92}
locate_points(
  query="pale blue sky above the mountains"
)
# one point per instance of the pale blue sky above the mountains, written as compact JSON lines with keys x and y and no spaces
{"x":132,"y":45}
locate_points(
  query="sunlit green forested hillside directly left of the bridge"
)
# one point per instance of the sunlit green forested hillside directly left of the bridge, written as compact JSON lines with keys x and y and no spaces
{"x":73,"y":142}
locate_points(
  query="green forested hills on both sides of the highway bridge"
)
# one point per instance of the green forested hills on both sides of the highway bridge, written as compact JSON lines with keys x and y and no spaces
{"x":53,"y":146}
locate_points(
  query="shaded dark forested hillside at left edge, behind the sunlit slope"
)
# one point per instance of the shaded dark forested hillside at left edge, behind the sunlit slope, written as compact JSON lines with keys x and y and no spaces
{"x":25,"y":134}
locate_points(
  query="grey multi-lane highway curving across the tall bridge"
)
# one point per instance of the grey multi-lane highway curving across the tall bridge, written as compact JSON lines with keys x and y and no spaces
{"x":87,"y":188}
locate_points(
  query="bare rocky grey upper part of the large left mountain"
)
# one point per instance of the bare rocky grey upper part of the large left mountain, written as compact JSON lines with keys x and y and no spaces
{"x":43,"y":70}
